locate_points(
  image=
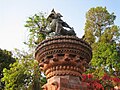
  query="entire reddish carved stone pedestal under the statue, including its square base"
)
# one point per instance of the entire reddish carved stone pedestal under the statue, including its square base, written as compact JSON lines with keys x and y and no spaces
{"x":63,"y":59}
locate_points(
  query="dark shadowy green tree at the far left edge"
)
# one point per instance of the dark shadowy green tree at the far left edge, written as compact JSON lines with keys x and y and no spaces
{"x":5,"y":60}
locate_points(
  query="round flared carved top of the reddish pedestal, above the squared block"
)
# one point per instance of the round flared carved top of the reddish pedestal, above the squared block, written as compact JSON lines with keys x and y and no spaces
{"x":63,"y":55}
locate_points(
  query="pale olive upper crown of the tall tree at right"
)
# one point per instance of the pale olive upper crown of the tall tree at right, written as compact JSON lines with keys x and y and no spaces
{"x":99,"y":21}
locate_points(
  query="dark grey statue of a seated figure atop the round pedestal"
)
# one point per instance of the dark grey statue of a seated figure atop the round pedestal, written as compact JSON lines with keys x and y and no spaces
{"x":58,"y":26}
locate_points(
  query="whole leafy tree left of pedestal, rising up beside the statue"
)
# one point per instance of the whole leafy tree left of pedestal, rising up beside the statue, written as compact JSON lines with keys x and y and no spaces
{"x":24,"y":73}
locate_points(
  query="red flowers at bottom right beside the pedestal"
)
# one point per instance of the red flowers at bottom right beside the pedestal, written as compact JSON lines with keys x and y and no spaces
{"x":94,"y":83}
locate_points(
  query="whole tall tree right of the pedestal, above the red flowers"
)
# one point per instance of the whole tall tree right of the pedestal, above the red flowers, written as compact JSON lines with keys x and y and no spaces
{"x":103,"y":36}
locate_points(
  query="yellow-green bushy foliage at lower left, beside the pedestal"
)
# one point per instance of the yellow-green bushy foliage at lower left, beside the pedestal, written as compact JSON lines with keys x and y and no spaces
{"x":23,"y":74}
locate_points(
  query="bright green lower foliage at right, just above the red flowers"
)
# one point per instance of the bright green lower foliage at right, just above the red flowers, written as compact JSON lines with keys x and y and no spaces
{"x":105,"y":58}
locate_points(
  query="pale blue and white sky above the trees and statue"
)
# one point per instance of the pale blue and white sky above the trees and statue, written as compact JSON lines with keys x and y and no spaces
{"x":14,"y":13}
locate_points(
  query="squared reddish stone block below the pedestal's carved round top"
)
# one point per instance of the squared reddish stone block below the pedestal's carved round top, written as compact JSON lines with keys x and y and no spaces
{"x":65,"y":83}
